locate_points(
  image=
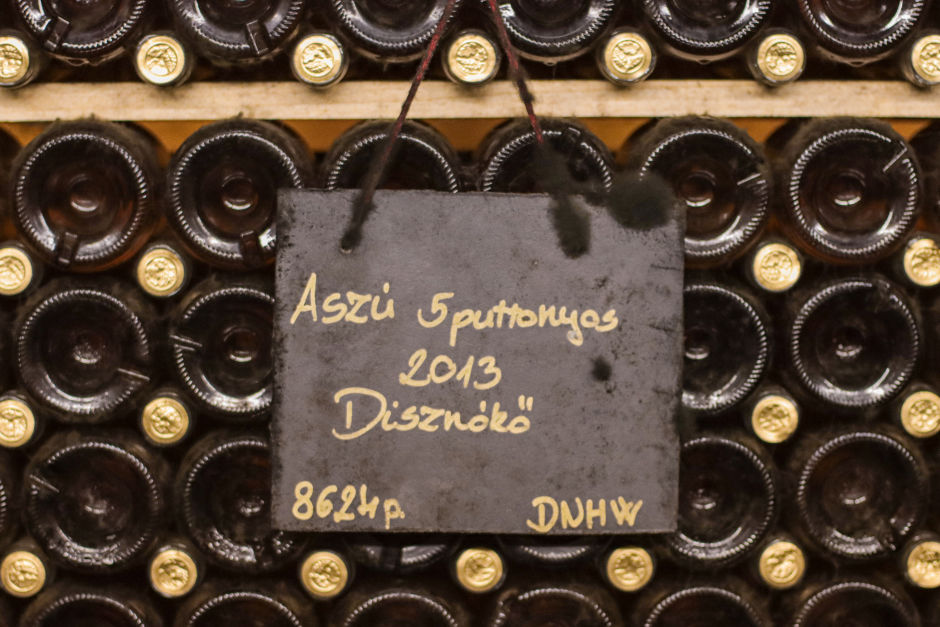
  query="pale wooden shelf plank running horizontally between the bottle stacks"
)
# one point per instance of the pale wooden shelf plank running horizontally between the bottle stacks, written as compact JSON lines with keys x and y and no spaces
{"x":443,"y":100}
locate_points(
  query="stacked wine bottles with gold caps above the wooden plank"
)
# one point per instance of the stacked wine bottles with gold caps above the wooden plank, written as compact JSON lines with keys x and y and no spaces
{"x":168,"y":41}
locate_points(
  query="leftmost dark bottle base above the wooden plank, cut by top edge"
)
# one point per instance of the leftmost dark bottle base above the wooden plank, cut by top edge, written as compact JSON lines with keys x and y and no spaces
{"x":85,"y":33}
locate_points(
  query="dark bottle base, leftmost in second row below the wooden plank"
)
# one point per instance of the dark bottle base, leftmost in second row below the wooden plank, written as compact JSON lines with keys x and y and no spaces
{"x":85,"y":349}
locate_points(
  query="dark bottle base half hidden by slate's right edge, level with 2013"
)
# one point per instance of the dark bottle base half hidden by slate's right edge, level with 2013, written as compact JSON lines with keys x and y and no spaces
{"x":727,"y":345}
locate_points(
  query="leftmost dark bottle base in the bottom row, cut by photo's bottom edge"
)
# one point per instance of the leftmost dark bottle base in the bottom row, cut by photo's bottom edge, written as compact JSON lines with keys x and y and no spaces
{"x":72,"y":603}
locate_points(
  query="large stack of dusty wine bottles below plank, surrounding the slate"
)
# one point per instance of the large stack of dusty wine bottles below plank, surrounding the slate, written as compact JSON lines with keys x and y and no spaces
{"x":136,"y":379}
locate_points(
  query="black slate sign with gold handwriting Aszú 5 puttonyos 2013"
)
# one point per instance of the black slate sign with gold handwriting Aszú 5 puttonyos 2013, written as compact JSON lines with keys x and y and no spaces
{"x":457,"y":372}
